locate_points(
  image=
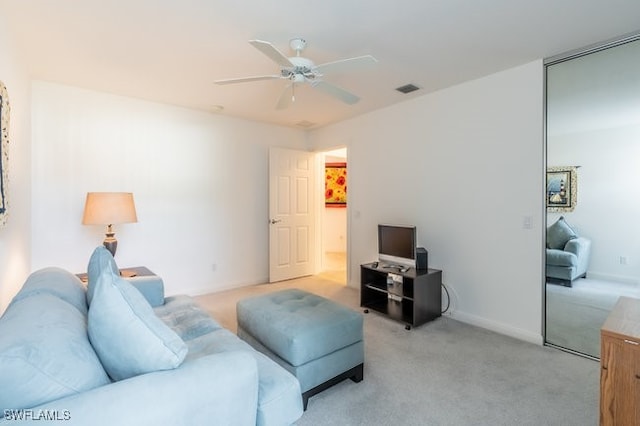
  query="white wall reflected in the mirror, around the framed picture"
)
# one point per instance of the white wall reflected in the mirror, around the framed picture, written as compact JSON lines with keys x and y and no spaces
{"x":608,"y":204}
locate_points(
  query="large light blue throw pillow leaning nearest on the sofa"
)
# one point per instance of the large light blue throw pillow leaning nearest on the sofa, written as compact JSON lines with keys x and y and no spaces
{"x":125,"y":332}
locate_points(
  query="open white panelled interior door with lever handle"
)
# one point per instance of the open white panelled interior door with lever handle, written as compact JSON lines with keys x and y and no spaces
{"x":291,"y":211}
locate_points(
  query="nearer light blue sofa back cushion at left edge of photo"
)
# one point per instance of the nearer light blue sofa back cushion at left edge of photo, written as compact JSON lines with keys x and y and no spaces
{"x":45,"y":353}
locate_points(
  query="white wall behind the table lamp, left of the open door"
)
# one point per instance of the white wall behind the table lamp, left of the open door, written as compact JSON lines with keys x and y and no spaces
{"x":199,"y":182}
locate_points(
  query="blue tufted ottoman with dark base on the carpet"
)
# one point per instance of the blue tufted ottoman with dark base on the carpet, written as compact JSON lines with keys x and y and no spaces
{"x":317,"y":340}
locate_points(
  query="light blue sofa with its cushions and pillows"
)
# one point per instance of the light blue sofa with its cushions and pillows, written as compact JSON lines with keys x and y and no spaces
{"x":63,"y":359}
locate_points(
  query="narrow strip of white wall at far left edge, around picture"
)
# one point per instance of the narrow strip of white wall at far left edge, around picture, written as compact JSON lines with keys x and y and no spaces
{"x":15,"y":236}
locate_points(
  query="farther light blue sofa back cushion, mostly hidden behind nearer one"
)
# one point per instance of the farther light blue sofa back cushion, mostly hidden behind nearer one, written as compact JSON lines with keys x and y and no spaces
{"x":56,"y":282}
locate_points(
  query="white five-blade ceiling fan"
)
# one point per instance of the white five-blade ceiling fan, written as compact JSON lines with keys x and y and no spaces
{"x":300,"y":70}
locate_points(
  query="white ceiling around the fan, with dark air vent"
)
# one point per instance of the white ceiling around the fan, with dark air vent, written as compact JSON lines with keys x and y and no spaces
{"x":171,"y":51}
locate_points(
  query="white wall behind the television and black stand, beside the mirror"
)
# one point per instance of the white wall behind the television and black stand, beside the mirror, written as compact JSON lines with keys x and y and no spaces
{"x":465,"y":165}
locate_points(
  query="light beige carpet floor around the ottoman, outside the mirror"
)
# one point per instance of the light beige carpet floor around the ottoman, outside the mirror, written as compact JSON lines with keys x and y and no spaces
{"x":442,"y":373}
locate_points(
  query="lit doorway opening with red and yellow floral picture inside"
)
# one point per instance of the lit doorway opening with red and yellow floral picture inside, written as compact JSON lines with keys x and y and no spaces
{"x":333,"y":216}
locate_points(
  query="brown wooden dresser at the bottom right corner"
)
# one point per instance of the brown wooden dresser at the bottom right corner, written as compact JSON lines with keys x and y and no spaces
{"x":620,"y":365}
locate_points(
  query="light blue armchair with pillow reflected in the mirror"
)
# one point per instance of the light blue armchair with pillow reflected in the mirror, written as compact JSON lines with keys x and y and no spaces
{"x":567,"y":254}
